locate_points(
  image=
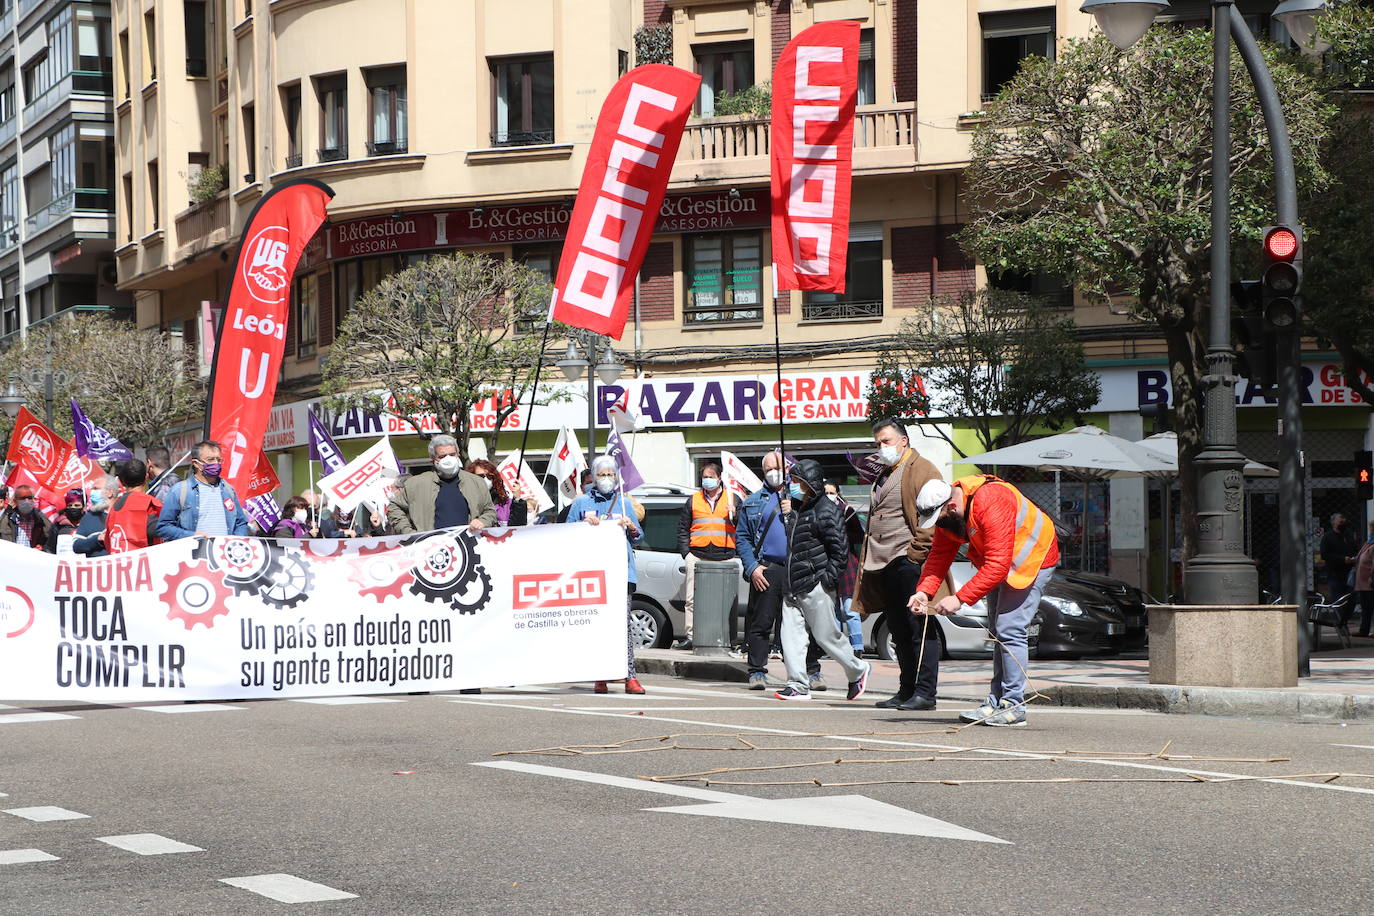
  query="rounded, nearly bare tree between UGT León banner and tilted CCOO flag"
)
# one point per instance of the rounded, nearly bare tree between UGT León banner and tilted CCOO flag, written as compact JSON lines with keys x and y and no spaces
{"x":438,"y":339}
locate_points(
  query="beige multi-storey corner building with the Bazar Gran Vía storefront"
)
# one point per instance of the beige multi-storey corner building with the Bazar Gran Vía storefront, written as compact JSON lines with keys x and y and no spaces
{"x":464,"y":126}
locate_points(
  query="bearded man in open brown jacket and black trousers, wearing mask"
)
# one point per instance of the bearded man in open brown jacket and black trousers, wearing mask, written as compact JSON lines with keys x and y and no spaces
{"x":895,"y":550}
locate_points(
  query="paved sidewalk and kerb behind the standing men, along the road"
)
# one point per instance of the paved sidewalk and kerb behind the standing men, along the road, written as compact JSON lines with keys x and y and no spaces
{"x":1342,"y":686}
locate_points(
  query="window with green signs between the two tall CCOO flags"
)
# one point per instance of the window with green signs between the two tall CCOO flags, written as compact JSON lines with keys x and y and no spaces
{"x":725,"y":278}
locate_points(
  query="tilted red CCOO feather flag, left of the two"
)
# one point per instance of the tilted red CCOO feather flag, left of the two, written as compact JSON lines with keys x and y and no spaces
{"x":623,"y":189}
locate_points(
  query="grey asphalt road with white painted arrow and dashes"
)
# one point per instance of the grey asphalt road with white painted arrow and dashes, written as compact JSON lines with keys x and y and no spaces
{"x":396,"y":805}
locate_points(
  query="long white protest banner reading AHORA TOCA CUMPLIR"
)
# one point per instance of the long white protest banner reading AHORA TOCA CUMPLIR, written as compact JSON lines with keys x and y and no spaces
{"x":240,"y":617}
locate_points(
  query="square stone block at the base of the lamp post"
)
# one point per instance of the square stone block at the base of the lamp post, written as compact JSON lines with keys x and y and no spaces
{"x":1208,"y":646}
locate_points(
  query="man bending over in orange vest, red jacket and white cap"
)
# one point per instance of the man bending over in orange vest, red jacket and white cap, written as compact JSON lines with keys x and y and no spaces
{"x":1015,"y":550}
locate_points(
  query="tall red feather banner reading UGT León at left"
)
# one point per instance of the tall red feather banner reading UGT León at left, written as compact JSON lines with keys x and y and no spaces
{"x":248,"y":354}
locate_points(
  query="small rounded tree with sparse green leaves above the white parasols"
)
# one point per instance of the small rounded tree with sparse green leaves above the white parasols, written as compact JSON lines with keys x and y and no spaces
{"x":1006,"y":362}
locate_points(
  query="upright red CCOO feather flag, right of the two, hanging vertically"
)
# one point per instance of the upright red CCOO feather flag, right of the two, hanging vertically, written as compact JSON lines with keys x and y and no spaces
{"x":815,"y":87}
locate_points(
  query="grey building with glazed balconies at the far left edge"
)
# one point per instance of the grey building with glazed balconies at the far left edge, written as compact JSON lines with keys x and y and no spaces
{"x":57,"y":164}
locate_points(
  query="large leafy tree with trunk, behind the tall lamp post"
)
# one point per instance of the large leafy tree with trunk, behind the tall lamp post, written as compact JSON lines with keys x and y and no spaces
{"x":1097,"y":168}
